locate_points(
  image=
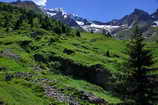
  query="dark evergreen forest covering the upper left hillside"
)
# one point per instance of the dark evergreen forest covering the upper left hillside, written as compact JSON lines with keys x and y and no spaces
{"x":18,"y":18}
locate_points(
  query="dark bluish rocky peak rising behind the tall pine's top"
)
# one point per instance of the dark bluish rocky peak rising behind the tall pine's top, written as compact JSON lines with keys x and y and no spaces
{"x":142,"y":19}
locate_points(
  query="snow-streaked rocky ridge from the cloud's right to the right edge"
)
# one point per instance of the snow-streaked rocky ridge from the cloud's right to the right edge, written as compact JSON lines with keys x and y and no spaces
{"x":137,"y":17}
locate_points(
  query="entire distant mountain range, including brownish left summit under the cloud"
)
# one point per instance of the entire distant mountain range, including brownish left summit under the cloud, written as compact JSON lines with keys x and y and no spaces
{"x":115,"y":27}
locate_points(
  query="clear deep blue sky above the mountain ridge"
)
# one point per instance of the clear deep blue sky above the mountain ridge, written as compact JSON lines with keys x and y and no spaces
{"x":102,"y":10}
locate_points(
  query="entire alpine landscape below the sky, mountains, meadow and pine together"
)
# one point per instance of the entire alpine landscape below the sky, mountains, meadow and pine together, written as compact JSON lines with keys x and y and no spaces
{"x":51,"y":57}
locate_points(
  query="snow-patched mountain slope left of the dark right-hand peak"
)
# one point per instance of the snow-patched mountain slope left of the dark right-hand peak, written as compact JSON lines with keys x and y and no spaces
{"x":79,"y":22}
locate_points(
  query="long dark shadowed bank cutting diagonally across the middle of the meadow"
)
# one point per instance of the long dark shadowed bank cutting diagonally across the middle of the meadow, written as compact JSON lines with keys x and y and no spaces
{"x":95,"y":74}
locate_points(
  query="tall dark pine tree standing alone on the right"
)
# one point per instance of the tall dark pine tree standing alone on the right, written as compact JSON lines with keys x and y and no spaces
{"x":140,"y":87}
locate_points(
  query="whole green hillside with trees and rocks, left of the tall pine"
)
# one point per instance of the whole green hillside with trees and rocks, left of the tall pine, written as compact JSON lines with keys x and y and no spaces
{"x":47,"y":64}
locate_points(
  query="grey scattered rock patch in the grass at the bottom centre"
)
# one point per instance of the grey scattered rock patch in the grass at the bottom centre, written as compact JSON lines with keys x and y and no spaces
{"x":71,"y":99}
